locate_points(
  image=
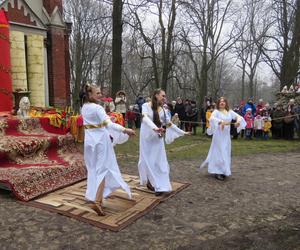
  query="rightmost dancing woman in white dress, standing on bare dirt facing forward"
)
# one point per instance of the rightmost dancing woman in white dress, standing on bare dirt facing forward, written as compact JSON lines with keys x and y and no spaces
{"x":219,"y":155}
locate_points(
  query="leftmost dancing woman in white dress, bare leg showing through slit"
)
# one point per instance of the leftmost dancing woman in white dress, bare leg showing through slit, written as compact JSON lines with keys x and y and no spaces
{"x":103,"y":174}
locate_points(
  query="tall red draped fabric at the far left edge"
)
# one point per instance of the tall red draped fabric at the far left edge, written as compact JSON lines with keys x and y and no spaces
{"x":6,"y":102}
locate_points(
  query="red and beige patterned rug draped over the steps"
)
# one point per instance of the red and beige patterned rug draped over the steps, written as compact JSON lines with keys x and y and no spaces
{"x":36,"y":159}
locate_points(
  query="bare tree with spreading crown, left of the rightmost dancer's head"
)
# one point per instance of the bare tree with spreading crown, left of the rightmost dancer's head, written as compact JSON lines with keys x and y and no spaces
{"x":207,"y":19}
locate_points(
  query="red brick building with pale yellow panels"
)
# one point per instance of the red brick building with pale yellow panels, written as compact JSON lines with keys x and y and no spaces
{"x":39,"y":39}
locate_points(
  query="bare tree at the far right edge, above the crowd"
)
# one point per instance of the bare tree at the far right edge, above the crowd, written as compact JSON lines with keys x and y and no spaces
{"x":282,"y":53}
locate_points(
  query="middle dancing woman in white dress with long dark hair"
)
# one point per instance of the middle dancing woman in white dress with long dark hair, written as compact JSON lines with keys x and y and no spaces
{"x":153,"y":165}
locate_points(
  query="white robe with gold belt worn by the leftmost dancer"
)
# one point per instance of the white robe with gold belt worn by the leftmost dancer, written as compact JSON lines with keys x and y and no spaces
{"x":99,"y":155}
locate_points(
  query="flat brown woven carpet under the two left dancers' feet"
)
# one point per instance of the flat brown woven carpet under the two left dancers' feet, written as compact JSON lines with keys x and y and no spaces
{"x":120,"y":211}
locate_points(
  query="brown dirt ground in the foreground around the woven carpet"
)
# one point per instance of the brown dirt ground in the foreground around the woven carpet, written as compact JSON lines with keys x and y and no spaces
{"x":257,"y":208}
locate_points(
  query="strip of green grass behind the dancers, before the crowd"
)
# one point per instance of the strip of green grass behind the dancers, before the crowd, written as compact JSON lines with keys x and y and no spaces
{"x":197,"y":146}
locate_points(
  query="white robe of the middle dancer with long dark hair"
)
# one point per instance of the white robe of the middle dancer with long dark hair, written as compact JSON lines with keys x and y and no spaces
{"x":153,"y":164}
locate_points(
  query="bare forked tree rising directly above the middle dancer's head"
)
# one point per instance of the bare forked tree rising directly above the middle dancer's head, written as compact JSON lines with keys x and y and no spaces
{"x":160,"y":40}
